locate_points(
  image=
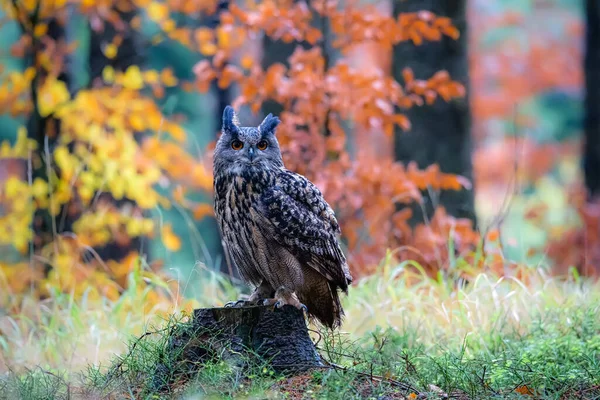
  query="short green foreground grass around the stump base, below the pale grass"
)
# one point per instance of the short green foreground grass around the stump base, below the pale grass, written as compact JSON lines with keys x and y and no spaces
{"x":558,"y":356}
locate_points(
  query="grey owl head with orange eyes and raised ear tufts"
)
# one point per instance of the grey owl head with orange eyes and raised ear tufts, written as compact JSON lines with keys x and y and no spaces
{"x":243,"y":147}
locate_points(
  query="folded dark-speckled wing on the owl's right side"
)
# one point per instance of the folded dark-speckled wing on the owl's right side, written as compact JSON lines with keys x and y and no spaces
{"x":297,"y":217}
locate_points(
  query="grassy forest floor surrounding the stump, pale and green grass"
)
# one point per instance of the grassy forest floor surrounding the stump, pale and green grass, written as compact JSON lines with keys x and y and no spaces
{"x":494,"y":338}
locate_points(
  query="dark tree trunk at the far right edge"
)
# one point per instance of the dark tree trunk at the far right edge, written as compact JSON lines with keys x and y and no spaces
{"x":591,"y":156}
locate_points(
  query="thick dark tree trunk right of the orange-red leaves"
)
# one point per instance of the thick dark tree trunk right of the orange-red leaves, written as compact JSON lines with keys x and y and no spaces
{"x":441,"y":132}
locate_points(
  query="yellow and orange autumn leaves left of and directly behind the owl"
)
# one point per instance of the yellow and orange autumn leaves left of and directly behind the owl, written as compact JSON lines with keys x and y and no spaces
{"x":111,"y":141}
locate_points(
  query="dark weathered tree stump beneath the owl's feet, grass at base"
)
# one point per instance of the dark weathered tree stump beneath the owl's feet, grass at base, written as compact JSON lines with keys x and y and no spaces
{"x":240,"y":336}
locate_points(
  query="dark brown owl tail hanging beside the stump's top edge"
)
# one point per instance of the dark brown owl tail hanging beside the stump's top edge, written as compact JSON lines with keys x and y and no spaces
{"x":323,"y":303}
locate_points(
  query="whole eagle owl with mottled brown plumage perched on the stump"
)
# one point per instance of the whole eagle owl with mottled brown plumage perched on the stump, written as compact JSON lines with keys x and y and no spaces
{"x":276,"y":225}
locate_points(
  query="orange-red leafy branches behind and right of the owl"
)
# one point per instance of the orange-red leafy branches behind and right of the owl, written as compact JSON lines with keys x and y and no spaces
{"x":366,"y":188}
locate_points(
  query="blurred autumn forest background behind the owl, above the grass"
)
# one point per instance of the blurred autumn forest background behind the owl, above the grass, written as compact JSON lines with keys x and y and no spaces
{"x":450,"y":132}
